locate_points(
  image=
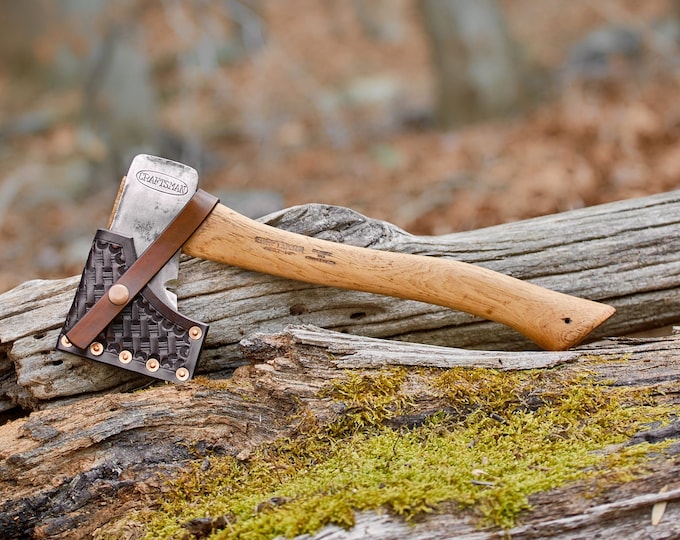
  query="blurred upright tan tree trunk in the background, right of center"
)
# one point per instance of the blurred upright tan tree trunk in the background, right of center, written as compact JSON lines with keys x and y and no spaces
{"x":477,"y":67}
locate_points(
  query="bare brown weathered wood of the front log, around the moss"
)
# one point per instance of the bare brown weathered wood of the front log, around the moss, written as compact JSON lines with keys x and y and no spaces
{"x":72,"y":468}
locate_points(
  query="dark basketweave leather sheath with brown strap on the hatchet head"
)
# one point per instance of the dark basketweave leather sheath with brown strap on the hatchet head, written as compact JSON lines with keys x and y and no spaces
{"x":142,"y":334}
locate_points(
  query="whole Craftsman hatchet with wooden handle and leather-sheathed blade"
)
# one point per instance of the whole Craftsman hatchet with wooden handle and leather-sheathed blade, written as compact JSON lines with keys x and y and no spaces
{"x":125,"y":314}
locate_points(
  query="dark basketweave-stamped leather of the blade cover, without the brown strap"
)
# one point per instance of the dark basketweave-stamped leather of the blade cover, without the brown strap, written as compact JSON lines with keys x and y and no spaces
{"x":147,"y":328}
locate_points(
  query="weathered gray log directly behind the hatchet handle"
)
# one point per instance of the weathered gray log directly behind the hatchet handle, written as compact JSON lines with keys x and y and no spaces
{"x":626,"y":254}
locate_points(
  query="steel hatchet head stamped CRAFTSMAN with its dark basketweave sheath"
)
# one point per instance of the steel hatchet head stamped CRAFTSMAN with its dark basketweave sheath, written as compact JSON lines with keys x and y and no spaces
{"x":147,"y":335}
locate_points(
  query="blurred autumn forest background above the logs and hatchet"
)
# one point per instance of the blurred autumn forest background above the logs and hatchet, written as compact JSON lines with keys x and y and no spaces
{"x":436,"y":115}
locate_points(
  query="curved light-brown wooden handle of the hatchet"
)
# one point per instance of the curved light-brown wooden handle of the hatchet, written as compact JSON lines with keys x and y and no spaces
{"x":553,"y":320}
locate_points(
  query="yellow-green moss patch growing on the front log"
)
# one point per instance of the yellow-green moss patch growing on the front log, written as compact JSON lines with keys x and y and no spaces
{"x":498,"y":442}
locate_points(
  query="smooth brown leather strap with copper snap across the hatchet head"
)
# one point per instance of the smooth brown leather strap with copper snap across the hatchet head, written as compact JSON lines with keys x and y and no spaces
{"x":144,"y":268}
